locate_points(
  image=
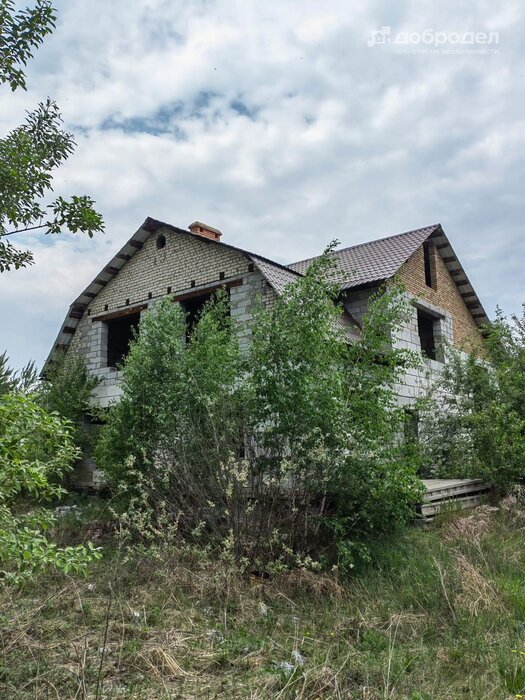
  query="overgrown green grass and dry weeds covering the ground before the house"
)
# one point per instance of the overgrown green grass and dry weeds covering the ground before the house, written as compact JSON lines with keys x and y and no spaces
{"x":439,"y":615}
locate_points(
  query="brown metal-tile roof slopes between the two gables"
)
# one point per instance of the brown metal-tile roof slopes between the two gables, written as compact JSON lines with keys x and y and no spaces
{"x":376,"y":260}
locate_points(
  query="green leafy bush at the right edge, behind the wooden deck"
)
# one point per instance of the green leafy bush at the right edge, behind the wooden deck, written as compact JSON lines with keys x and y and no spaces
{"x":480,"y":430}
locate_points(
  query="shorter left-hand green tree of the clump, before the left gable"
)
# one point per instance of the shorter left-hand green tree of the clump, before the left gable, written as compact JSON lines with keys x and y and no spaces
{"x":172,"y":440}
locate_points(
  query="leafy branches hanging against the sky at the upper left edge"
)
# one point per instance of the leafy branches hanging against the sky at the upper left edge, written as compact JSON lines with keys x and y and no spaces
{"x":31,"y":152}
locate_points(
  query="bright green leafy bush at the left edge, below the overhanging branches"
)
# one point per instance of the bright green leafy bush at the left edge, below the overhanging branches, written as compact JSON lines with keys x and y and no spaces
{"x":36,"y":449}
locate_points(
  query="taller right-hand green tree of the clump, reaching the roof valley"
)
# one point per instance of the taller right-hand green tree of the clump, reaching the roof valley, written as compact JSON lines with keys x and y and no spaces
{"x":325,"y":411}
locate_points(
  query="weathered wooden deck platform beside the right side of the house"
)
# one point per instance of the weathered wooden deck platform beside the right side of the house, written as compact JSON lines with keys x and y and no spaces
{"x":444,"y":494}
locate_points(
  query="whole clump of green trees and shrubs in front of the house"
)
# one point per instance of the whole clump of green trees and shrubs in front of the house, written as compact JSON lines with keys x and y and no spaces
{"x":278,"y":453}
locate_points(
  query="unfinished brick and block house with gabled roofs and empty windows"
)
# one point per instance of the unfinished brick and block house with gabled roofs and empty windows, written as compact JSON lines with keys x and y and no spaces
{"x":162,"y":260}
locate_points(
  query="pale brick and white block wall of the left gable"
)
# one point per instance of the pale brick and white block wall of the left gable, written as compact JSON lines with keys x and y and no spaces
{"x":184,"y":265}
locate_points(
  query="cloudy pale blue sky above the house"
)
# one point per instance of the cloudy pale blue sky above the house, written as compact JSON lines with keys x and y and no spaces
{"x":286,"y":124}
